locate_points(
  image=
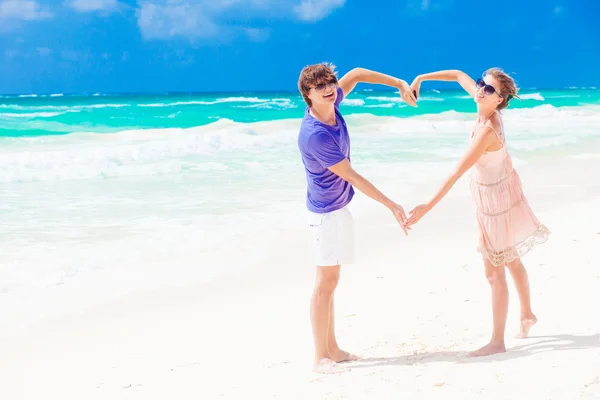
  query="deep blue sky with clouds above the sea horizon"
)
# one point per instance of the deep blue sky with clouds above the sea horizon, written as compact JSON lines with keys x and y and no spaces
{"x":83,"y":46}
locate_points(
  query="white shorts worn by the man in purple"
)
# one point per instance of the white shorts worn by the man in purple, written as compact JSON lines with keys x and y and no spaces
{"x":333,"y":237}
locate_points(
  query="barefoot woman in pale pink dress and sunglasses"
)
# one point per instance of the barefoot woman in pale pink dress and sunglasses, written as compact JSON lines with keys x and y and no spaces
{"x":507,"y":225}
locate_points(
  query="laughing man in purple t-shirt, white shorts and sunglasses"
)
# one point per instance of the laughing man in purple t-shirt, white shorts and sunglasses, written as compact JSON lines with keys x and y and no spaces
{"x":325,"y":148}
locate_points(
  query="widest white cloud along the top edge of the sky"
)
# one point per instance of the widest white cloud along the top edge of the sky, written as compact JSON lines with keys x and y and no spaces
{"x":203,"y":19}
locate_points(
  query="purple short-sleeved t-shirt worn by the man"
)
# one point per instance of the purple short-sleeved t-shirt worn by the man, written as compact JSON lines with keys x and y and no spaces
{"x":322,"y":146}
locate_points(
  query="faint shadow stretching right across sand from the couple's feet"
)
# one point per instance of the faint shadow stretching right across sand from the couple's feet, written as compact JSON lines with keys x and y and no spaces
{"x":532,"y":345}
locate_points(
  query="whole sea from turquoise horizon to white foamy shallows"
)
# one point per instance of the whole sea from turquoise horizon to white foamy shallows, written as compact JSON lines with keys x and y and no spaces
{"x":133,"y":189}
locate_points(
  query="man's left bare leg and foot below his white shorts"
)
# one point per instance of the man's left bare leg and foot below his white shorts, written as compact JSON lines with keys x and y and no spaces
{"x":321,"y":302}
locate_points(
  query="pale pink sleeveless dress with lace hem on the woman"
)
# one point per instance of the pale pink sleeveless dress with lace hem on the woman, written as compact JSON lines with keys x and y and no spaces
{"x":508,"y":228}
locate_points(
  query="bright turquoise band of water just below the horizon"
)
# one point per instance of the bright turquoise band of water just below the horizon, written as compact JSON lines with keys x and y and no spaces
{"x":38,"y":115}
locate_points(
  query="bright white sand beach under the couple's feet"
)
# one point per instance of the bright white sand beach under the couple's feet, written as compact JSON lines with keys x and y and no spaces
{"x":410,"y":306}
